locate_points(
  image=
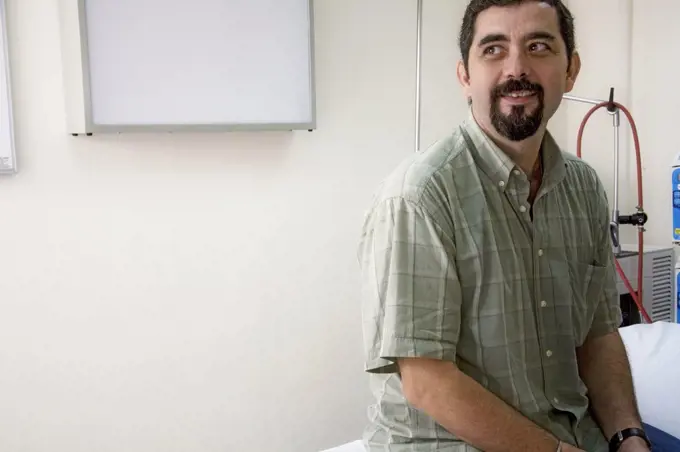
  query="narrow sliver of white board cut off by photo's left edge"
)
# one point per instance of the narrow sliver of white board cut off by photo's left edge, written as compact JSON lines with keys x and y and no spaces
{"x":7,"y":152}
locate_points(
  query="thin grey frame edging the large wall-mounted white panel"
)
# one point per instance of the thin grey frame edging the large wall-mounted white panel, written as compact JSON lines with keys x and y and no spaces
{"x":92,"y":127}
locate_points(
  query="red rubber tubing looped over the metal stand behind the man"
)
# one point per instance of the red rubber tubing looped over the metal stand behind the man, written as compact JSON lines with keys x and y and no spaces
{"x":637,"y":296}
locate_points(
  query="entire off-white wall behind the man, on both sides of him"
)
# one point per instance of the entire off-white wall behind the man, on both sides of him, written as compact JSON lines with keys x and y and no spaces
{"x":199,"y":291}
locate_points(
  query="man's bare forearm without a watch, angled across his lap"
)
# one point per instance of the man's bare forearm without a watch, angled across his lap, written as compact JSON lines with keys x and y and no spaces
{"x":469,"y":411}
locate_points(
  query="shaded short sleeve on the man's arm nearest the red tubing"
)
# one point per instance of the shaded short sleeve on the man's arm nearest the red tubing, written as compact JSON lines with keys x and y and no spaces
{"x":608,"y":317}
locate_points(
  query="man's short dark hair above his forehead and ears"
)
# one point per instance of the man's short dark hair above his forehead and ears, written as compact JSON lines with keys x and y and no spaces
{"x":475,"y":7}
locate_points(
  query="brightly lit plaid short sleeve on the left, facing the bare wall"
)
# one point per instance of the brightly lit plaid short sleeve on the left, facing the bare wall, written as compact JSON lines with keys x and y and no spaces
{"x":410,"y":288}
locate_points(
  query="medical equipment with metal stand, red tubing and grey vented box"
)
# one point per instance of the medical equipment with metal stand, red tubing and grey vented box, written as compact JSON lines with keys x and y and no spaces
{"x":653,"y":266}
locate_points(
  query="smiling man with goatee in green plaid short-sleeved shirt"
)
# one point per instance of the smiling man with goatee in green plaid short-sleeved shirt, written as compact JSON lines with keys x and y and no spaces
{"x":491,"y":312}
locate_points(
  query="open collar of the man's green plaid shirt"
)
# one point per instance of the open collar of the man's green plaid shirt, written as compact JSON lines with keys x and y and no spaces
{"x":499,"y":166}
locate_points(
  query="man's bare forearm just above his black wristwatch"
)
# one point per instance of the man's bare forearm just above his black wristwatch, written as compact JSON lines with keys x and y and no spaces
{"x":604,"y":368}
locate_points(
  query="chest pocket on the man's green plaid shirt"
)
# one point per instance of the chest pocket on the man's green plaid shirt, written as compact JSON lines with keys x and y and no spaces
{"x":587,"y":286}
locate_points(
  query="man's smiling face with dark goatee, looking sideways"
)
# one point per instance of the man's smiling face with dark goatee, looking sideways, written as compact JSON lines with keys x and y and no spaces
{"x":518,"y":69}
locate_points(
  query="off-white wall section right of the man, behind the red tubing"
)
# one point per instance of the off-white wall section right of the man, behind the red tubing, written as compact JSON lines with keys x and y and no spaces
{"x":619,"y":47}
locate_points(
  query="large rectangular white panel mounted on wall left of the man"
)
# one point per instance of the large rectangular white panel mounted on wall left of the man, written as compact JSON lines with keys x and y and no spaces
{"x":242,"y":64}
